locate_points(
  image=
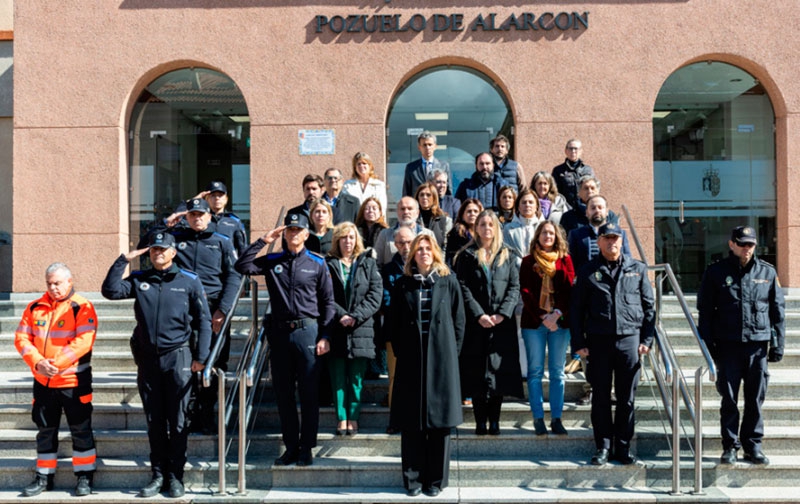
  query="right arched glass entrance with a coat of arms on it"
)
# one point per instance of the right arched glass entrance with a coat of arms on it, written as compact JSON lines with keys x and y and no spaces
{"x":714,"y":166}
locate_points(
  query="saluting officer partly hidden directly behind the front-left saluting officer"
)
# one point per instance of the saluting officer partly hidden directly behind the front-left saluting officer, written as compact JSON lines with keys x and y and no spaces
{"x":201,"y":249}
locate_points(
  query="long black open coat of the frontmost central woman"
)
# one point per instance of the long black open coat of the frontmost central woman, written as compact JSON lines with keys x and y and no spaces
{"x":426,"y":393}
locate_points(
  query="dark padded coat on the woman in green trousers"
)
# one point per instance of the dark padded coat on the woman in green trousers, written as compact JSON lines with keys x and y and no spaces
{"x":366,"y":294}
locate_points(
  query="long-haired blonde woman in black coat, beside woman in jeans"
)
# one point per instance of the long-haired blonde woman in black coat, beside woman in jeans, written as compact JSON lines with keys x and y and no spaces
{"x":489,"y":360}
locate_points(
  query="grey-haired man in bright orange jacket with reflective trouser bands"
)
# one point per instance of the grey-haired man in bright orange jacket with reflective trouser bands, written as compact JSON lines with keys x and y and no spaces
{"x":55,"y":338}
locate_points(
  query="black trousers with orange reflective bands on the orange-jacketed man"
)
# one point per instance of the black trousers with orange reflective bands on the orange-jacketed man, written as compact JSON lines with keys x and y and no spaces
{"x":46,"y":413}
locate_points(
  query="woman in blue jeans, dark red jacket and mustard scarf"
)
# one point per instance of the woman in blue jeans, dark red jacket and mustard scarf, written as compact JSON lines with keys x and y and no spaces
{"x":546,"y":283}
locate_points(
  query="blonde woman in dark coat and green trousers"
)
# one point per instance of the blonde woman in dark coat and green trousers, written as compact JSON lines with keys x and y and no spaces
{"x":358,"y":292}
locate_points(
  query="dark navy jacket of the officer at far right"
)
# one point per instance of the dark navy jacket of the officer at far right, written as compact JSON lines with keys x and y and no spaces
{"x":738,"y":303}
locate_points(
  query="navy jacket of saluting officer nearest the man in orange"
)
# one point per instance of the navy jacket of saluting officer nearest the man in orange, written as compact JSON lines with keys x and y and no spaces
{"x":169,"y":306}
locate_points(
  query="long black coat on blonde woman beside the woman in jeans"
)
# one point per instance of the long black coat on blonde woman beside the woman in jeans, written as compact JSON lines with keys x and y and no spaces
{"x":490,"y":357}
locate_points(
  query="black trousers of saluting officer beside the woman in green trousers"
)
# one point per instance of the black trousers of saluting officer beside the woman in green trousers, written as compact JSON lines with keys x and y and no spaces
{"x":293,"y":358}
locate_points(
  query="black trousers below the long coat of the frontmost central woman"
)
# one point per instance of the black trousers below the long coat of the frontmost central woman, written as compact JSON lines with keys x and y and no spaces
{"x":425,"y":456}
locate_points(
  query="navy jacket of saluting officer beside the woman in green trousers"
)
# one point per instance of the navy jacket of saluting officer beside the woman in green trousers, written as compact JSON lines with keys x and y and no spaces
{"x":299,"y":285}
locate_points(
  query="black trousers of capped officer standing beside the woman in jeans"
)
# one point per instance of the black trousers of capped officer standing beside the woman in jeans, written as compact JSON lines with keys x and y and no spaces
{"x":614,"y":363}
